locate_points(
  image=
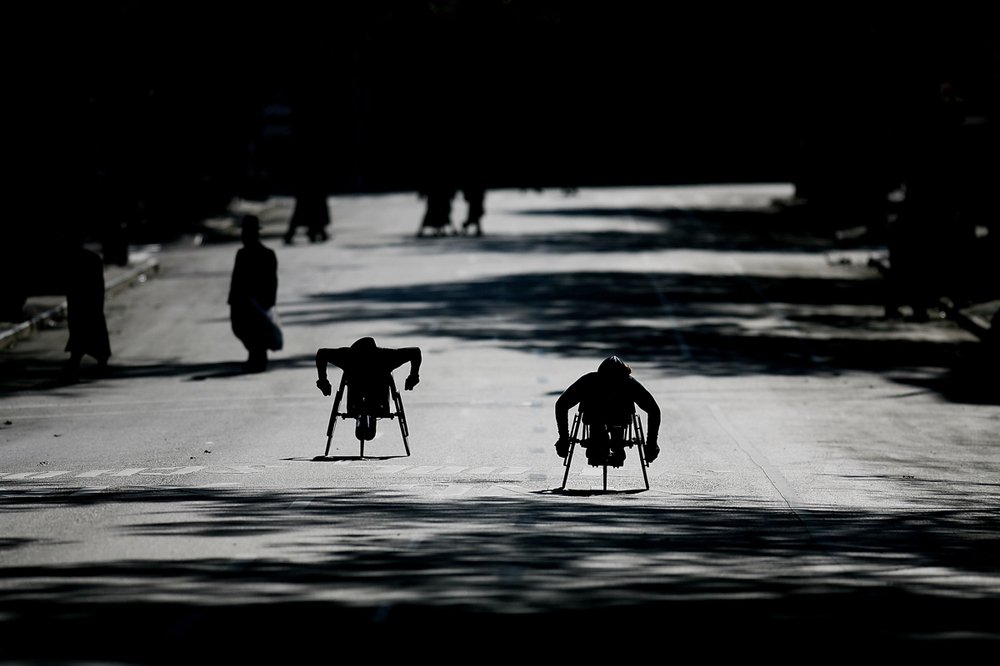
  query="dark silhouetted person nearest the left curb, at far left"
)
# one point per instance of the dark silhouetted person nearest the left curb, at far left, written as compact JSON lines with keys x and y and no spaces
{"x":88,"y":329}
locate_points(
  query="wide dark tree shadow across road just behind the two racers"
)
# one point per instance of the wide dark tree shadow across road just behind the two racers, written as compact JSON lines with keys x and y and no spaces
{"x":681,"y":324}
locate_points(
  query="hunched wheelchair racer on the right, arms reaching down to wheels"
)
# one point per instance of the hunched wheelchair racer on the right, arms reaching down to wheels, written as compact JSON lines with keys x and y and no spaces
{"x":607,"y":400}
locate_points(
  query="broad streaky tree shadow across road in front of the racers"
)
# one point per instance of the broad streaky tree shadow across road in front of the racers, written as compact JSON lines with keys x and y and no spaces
{"x":376,"y":563}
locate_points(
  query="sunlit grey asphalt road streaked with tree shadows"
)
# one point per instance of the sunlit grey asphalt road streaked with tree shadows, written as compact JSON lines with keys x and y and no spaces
{"x":829,"y":479}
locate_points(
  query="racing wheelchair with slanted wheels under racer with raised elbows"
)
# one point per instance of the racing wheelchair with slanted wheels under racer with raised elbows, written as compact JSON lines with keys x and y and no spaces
{"x":365,"y":406}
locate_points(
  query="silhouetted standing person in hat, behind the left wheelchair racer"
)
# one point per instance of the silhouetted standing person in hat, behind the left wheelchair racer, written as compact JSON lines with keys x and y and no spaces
{"x":253,"y":292}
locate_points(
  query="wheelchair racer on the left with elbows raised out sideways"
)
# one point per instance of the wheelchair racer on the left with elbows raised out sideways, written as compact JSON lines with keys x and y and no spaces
{"x":367,"y":372}
